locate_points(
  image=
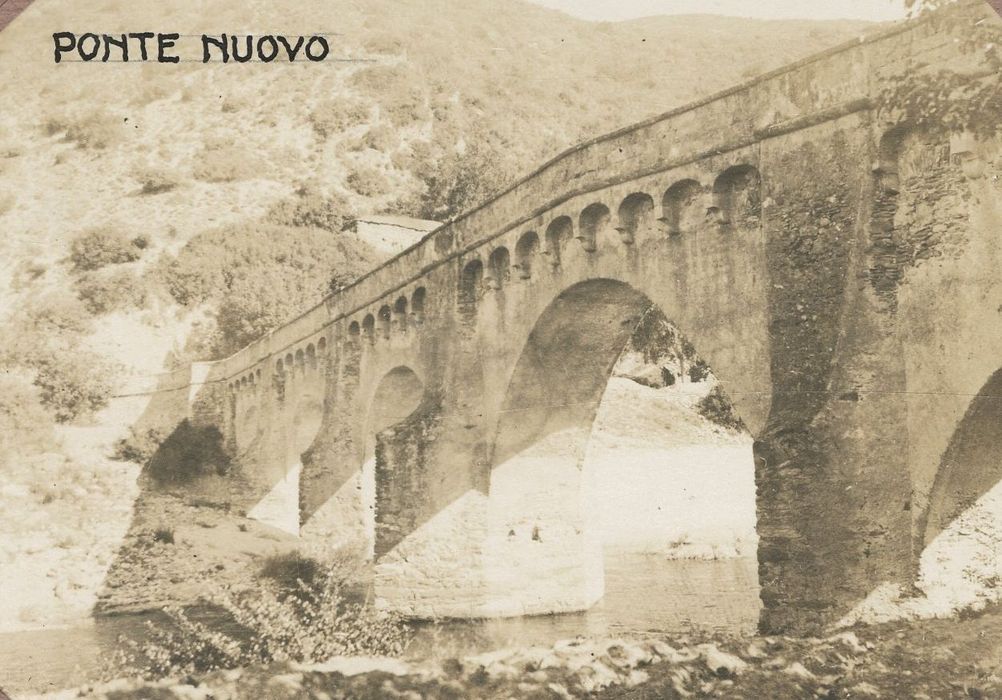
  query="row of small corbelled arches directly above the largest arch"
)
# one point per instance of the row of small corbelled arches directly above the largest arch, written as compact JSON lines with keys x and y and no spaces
{"x":737,"y":201}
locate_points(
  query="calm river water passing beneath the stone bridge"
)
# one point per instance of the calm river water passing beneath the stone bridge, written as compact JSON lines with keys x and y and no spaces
{"x":646,"y":595}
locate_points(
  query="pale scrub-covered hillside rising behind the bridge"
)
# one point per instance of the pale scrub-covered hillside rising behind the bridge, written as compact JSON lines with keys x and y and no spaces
{"x":153,"y":215}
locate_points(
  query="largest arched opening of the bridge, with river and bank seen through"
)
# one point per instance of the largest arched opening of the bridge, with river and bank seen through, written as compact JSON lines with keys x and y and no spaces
{"x":621,"y":471}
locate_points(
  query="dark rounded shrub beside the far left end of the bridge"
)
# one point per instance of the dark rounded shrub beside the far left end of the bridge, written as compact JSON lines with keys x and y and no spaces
{"x":189,"y":453}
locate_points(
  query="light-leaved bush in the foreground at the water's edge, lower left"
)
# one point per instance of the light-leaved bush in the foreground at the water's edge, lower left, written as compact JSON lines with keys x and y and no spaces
{"x":314,"y":625}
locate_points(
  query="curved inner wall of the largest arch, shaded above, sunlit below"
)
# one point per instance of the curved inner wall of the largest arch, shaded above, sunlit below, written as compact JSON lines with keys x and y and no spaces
{"x":545,"y":555}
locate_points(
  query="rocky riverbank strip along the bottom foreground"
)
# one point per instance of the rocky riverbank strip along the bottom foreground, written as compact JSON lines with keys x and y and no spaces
{"x":930,"y":659}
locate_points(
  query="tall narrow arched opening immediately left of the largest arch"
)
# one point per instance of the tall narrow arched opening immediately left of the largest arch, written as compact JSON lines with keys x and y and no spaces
{"x":388,"y":461}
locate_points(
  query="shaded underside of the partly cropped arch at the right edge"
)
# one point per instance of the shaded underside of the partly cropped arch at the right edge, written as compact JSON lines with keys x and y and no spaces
{"x":971,"y":465}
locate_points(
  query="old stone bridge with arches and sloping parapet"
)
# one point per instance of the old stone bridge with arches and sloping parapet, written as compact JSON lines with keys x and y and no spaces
{"x":836,"y":268}
